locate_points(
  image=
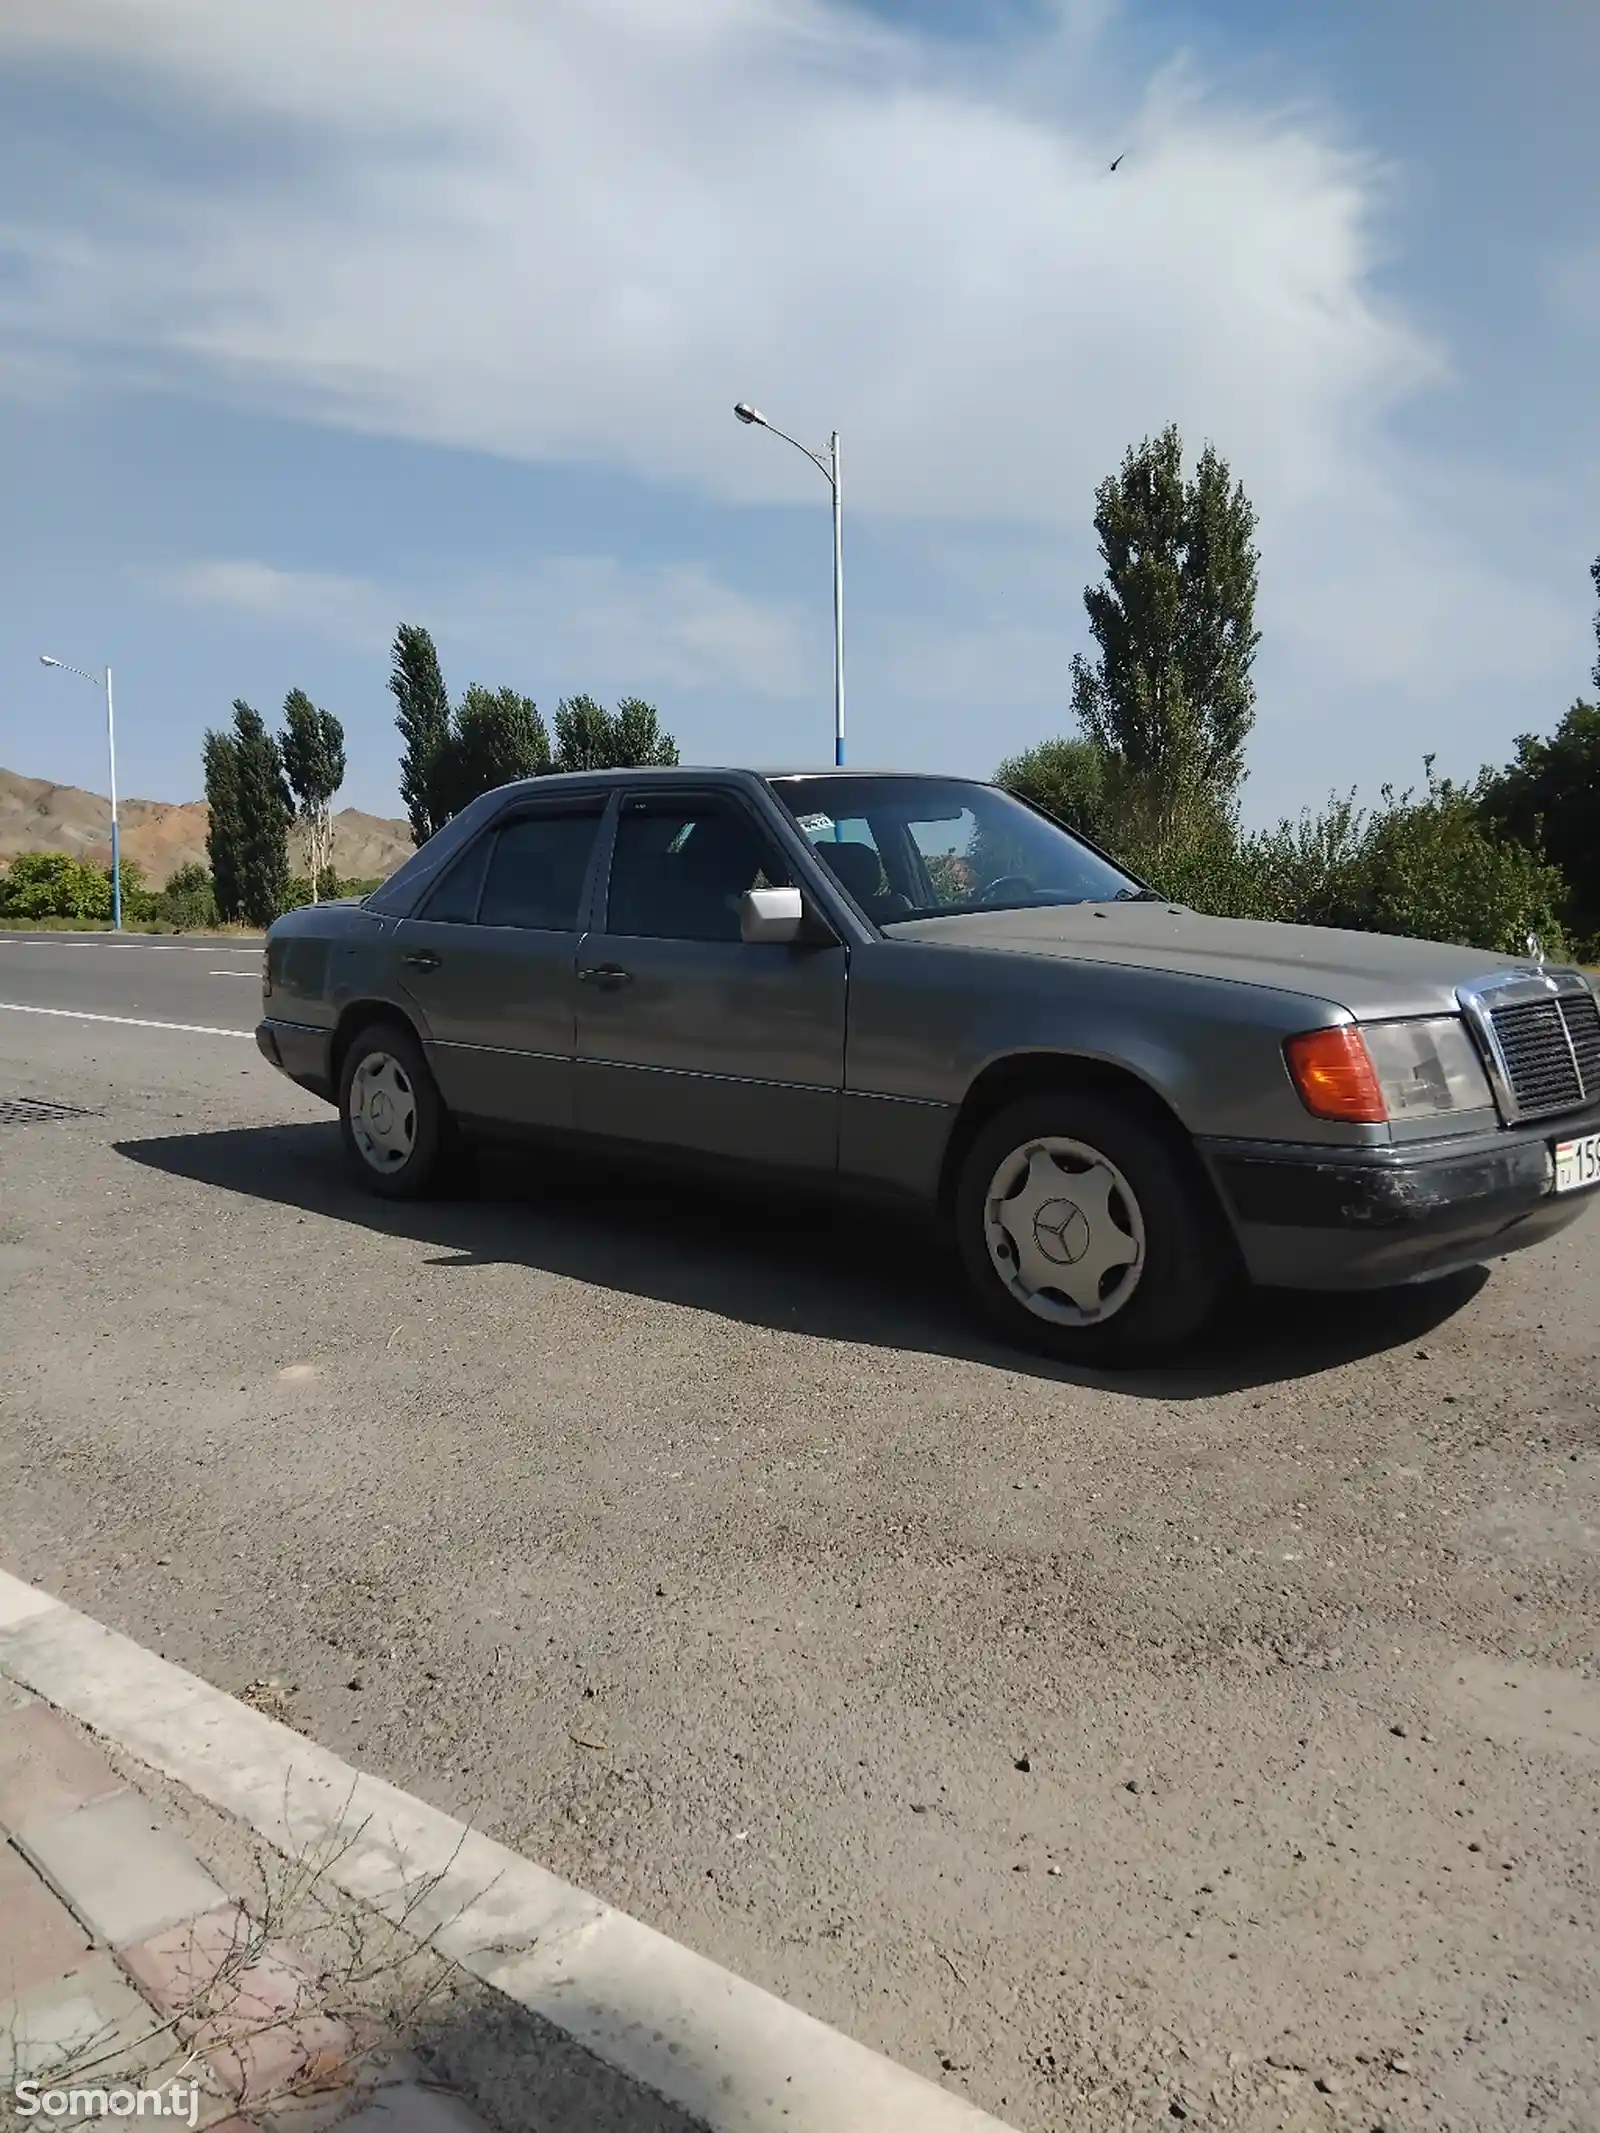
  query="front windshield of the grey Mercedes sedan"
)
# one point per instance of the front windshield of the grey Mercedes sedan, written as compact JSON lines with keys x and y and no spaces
{"x":931,"y":848}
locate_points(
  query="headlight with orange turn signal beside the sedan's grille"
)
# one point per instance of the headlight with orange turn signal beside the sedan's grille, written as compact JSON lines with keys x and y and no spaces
{"x":1388,"y":1072}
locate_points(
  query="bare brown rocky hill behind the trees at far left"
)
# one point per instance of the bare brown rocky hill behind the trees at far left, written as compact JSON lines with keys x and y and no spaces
{"x":163,"y":835}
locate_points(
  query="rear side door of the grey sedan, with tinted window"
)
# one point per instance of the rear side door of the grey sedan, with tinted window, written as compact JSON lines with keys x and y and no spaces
{"x":490,"y":961}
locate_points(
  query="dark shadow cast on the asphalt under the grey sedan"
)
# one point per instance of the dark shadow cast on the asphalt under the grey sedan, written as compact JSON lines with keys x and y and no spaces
{"x":795,"y":1268}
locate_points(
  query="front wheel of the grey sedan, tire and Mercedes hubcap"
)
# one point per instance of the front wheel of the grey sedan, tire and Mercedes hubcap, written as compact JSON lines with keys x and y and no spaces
{"x":1142,"y":1262}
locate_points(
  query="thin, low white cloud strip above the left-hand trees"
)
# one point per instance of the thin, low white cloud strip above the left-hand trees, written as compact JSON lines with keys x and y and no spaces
{"x":620,"y":628}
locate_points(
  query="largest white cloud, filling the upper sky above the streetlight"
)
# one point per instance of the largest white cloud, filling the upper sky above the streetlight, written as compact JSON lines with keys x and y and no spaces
{"x":579,"y":234}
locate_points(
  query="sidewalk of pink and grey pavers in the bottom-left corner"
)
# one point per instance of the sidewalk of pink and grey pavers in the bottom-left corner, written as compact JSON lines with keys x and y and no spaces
{"x":125,"y":1966}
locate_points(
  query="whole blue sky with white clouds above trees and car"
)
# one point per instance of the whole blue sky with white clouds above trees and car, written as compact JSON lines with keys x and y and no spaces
{"x":323,"y":319}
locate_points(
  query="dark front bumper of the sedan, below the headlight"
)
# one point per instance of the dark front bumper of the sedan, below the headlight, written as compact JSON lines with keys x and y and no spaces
{"x":1375,"y":1217}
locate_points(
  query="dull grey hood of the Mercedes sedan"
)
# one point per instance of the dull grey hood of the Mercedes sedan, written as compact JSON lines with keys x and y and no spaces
{"x":1366,"y":974}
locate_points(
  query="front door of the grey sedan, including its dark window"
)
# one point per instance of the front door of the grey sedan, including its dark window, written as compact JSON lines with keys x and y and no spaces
{"x":690,"y":1038}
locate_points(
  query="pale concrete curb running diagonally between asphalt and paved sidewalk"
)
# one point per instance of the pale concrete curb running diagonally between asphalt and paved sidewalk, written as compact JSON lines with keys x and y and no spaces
{"x":709,"y":2042}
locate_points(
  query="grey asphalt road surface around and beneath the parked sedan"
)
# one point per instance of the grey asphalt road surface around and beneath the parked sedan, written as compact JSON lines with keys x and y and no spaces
{"x":1093,"y":1746}
